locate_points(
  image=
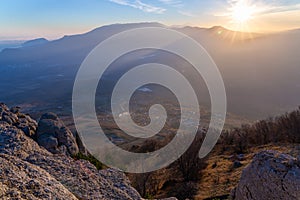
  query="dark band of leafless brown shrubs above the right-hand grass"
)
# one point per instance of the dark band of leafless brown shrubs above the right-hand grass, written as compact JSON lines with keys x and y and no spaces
{"x":282,"y":129}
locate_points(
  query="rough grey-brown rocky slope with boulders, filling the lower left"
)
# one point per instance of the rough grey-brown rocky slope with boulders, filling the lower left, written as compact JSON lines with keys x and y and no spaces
{"x":46,"y":171}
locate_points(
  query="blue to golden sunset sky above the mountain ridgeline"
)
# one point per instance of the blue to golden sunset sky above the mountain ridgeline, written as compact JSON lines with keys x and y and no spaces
{"x":27,"y":19}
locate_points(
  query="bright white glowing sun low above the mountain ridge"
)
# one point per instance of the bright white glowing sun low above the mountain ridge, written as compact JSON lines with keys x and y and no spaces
{"x":242,"y":12}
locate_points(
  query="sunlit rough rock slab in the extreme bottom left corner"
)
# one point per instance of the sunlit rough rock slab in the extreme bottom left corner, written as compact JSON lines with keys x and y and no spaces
{"x":22,"y":180}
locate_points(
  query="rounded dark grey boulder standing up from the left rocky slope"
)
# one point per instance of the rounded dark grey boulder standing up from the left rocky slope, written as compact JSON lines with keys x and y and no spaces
{"x":53,"y":135}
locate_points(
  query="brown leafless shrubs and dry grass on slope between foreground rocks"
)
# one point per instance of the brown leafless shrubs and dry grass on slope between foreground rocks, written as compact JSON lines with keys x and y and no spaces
{"x":190,"y":177}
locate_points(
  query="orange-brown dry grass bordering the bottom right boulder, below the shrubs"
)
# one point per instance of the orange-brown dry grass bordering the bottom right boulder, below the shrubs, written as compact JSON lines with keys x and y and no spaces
{"x":220,"y":177}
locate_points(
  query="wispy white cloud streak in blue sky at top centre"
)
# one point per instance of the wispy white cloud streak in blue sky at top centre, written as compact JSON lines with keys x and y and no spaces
{"x":138,"y":4}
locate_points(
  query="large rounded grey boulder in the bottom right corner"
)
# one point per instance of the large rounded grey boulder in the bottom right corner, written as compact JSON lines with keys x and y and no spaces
{"x":270,"y":176}
